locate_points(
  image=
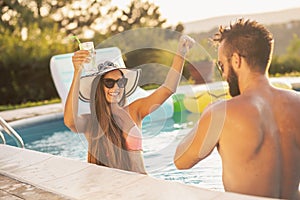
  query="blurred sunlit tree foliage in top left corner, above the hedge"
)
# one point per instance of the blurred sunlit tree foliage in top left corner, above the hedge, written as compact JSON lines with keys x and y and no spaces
{"x":71,"y":16}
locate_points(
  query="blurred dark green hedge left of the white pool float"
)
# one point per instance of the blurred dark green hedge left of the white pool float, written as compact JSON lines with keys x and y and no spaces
{"x":25,"y":72}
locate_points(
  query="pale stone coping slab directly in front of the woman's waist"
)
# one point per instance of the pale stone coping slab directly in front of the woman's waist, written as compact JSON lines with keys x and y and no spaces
{"x":94,"y":179}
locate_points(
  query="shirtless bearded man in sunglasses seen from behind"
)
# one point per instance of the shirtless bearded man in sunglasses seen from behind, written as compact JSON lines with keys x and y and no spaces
{"x":257,"y":132}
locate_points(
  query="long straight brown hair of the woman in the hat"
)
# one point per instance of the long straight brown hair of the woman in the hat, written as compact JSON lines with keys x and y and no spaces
{"x":107,"y":144}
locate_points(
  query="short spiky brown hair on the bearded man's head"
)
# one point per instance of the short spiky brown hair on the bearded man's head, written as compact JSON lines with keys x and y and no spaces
{"x":250,"y":40}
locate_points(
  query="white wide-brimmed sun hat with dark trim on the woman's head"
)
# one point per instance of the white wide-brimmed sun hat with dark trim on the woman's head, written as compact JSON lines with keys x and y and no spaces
{"x":103,"y":68}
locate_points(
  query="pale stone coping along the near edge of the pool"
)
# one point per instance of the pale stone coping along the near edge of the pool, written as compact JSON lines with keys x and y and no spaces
{"x":160,"y":186}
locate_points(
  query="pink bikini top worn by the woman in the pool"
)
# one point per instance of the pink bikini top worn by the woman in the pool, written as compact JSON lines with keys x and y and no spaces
{"x":134,"y":139}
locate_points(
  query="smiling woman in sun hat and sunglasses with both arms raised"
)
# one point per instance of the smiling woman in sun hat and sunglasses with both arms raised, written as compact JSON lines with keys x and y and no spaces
{"x":113,"y":129}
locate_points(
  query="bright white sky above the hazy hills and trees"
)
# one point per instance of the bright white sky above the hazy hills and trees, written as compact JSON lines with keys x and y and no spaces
{"x":192,"y":10}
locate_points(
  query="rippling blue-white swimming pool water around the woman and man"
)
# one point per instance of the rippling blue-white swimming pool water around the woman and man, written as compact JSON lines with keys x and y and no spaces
{"x":160,"y":138}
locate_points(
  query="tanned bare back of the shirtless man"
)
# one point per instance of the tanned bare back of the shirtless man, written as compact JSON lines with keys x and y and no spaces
{"x":259,"y":155}
